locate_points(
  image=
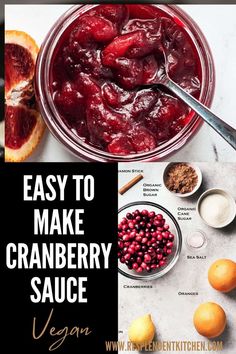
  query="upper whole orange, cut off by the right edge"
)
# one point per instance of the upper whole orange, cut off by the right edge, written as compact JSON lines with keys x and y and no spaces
{"x":222,"y":275}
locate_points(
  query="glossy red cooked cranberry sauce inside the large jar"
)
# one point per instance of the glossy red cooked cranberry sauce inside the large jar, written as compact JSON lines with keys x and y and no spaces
{"x":97,"y":69}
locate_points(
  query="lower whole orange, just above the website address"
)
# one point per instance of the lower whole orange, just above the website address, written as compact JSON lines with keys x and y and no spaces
{"x":209,"y":320}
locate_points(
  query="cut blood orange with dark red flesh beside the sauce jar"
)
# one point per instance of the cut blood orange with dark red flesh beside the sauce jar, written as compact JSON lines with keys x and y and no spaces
{"x":23,"y":123}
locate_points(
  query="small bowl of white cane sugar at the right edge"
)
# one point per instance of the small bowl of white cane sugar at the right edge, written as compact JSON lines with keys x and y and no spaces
{"x":216,"y":208}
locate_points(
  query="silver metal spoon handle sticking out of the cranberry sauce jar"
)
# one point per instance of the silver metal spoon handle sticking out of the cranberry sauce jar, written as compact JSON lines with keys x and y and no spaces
{"x":226,"y":131}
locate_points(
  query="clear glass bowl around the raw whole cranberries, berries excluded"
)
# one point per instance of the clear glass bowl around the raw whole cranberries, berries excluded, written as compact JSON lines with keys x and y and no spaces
{"x":174,"y":228}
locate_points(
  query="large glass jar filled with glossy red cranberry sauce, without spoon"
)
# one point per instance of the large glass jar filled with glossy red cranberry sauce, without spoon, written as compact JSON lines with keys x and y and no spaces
{"x":91,"y":74}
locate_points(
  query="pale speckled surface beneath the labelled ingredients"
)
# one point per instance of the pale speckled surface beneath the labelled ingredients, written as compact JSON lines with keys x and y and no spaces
{"x":172,"y":313}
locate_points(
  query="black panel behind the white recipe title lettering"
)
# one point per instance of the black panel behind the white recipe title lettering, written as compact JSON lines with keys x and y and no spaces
{"x":100,"y":313}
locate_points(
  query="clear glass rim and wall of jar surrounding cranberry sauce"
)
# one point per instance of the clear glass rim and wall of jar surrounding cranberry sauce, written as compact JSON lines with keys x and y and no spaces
{"x":88,"y":152}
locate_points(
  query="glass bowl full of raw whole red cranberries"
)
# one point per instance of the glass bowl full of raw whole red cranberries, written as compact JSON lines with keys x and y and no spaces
{"x":149,"y":240}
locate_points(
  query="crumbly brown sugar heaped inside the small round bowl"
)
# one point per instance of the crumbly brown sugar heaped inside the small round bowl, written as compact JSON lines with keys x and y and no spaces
{"x":181,"y":178}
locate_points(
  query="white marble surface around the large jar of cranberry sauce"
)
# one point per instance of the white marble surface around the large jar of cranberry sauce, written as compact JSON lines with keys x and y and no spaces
{"x":218,"y":23}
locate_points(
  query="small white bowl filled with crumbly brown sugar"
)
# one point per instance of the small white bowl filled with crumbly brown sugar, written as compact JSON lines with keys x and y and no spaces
{"x":182,"y":178}
